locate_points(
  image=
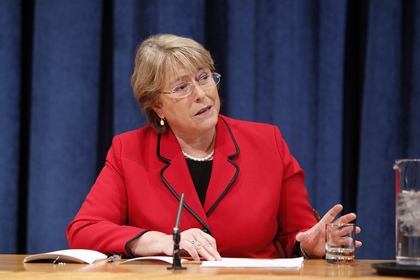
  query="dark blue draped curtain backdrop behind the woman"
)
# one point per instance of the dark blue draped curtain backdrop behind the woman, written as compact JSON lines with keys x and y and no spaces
{"x":340,"y":78}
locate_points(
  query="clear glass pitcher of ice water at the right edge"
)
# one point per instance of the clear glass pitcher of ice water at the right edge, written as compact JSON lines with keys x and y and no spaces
{"x":407,"y":211}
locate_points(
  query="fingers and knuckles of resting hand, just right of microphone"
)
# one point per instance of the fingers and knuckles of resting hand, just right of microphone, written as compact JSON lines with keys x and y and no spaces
{"x":198,"y":243}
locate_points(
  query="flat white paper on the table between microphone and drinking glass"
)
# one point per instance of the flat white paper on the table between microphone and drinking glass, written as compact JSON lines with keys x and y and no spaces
{"x":248,"y":262}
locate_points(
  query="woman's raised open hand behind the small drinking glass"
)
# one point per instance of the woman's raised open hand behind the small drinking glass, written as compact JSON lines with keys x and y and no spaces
{"x":312,"y":241}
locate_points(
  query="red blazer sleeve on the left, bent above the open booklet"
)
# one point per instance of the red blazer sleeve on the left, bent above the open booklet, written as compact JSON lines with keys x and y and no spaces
{"x":100,"y":223}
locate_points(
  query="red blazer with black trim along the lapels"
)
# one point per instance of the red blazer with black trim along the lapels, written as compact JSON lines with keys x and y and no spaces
{"x":256,"y":193}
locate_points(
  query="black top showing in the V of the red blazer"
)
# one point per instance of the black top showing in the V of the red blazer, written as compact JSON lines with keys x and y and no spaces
{"x":200,"y":173}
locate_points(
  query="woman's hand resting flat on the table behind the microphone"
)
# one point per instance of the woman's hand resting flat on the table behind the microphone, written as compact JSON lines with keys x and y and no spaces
{"x":193,"y":241}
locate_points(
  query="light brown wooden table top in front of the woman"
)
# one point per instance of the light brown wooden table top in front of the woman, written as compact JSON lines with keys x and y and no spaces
{"x":12,"y":267}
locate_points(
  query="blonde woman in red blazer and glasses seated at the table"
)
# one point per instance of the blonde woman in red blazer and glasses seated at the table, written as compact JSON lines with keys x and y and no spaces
{"x":244,"y":191}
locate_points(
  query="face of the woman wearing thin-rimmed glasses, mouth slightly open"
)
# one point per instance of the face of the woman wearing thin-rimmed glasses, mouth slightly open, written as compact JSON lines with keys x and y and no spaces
{"x":193,"y":115}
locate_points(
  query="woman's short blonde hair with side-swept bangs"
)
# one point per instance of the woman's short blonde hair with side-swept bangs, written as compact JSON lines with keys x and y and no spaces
{"x":159,"y":57}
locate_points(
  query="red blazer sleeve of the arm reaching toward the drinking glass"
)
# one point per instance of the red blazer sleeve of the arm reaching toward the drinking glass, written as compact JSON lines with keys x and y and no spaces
{"x":295,"y":213}
